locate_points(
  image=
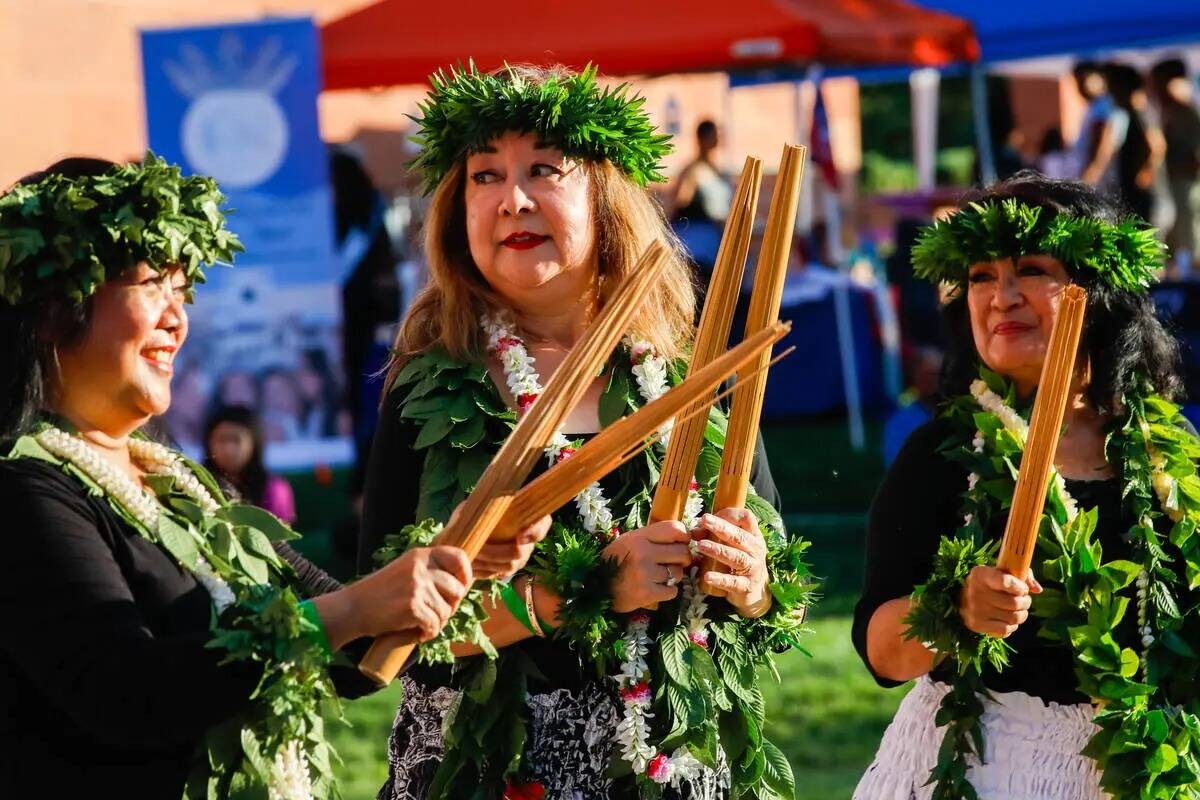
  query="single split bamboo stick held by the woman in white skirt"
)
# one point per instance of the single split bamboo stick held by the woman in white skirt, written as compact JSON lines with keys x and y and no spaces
{"x":1042,"y":443}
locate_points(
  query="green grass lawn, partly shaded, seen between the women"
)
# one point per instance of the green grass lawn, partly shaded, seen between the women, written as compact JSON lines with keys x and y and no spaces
{"x":826,"y":714}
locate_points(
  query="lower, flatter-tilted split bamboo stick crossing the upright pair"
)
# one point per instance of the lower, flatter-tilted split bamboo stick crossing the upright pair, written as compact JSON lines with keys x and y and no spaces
{"x":628,"y":436}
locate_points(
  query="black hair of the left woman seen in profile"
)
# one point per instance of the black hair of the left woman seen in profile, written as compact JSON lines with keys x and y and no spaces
{"x":31,"y":332}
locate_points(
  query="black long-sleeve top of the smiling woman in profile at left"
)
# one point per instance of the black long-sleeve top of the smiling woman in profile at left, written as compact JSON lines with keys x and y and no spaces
{"x":106,"y":684}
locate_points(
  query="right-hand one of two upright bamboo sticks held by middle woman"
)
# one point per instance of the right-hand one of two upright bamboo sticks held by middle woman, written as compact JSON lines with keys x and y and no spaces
{"x":769,"y":292}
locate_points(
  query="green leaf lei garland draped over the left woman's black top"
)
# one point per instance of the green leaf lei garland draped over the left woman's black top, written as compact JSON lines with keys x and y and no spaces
{"x":265,"y":625}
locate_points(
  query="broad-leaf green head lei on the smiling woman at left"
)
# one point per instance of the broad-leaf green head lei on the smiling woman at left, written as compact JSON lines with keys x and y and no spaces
{"x":65,"y":237}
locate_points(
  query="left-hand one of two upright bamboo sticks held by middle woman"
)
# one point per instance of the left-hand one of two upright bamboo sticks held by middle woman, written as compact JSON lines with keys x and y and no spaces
{"x":712,"y":339}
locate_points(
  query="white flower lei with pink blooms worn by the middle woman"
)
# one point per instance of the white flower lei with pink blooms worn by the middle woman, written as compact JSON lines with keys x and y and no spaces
{"x":651,"y":375}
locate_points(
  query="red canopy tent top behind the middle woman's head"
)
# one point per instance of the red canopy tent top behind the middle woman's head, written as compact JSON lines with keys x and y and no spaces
{"x":397,"y":43}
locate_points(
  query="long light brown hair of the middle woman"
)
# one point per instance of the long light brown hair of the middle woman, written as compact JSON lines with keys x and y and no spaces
{"x":627,"y":220}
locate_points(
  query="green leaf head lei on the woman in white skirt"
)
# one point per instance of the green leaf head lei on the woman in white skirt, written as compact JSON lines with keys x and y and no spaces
{"x":1125,"y":255}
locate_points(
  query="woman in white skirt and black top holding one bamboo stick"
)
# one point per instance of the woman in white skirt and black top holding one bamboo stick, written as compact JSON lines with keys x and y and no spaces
{"x":1083,"y":681}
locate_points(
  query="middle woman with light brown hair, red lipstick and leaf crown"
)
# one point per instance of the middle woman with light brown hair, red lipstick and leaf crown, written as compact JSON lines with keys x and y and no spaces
{"x":607,"y":671}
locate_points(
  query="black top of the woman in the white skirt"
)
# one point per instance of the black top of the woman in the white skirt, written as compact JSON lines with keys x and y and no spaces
{"x":920,"y":502}
